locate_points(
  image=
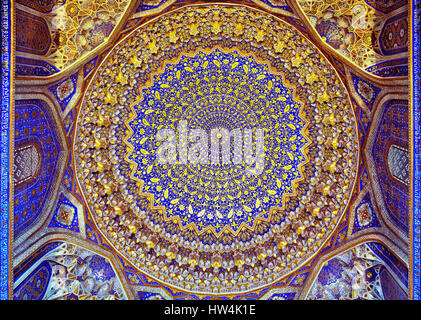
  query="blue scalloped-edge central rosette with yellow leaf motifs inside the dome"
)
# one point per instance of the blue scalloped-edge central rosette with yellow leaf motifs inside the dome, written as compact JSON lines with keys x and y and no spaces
{"x":217,"y":139}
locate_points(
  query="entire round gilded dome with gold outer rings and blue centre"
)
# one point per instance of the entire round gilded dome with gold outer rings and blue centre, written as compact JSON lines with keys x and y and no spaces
{"x":216,"y":149}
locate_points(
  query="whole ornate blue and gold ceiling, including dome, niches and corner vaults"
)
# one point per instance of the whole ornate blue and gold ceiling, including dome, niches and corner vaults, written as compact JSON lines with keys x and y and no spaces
{"x":196,"y":150}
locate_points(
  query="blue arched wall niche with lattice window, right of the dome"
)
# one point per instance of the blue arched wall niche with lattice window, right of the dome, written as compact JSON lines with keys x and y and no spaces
{"x":387,"y":152}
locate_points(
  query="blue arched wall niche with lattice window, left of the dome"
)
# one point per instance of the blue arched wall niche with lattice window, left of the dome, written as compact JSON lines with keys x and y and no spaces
{"x":40,"y":155}
